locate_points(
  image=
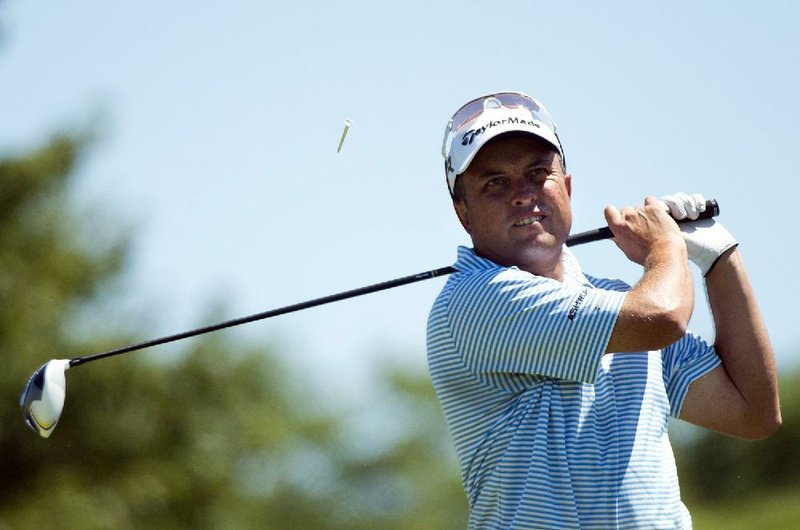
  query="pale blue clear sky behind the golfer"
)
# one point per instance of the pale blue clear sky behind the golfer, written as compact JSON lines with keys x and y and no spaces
{"x":220,"y":124}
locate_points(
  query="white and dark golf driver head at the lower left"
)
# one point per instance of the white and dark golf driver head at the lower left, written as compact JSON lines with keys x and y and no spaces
{"x":43,"y":398}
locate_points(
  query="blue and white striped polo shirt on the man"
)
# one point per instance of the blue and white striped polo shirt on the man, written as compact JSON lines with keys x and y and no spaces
{"x":549,"y":431}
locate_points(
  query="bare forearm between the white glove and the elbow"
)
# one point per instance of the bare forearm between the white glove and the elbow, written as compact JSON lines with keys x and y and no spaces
{"x":743,"y":344}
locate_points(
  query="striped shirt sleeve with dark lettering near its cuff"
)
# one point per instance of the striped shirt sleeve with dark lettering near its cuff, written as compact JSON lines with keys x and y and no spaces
{"x":507,"y":321}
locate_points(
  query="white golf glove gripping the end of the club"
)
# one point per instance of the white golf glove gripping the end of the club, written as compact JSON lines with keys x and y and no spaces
{"x":706,"y":240}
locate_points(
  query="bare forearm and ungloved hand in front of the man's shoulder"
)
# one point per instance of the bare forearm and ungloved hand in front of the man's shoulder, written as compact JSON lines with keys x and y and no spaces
{"x":657,"y":310}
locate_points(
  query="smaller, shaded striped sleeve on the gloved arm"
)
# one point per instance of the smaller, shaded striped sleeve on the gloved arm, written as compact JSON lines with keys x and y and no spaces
{"x":684,"y":362}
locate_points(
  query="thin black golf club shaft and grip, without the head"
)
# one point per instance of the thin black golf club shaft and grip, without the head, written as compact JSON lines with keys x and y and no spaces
{"x":712,"y":210}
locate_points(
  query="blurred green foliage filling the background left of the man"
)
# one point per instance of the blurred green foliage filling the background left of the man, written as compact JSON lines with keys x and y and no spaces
{"x":218,"y":434}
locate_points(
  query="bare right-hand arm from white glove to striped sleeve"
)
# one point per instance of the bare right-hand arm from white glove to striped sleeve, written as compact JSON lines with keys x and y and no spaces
{"x":739,"y":397}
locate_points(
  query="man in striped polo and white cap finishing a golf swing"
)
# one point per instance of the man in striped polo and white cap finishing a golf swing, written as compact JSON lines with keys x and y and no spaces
{"x":557,"y":386}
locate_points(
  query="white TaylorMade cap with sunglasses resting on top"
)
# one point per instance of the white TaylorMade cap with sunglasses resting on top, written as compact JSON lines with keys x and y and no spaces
{"x":496,"y":114}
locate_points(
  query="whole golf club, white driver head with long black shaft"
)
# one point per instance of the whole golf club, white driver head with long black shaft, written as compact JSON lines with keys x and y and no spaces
{"x":42,"y":400}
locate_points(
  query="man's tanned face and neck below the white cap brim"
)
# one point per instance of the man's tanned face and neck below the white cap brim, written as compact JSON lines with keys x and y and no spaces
{"x":514,"y":202}
